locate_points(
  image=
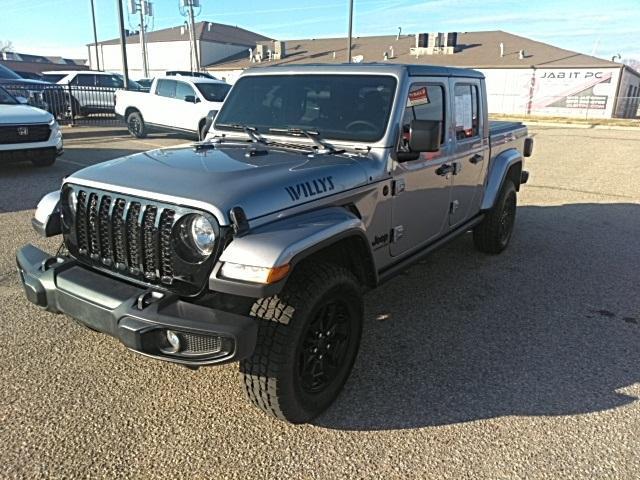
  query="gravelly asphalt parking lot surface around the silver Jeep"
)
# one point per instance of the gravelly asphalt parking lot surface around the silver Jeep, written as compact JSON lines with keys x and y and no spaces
{"x":523,"y":365}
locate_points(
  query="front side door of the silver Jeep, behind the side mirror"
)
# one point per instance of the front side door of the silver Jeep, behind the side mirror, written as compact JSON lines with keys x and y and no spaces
{"x":422,"y":186}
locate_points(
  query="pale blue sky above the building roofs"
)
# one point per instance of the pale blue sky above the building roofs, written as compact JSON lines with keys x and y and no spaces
{"x":600,"y":27}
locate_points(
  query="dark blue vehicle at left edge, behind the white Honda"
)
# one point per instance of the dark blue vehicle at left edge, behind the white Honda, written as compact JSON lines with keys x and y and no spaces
{"x":38,"y":93}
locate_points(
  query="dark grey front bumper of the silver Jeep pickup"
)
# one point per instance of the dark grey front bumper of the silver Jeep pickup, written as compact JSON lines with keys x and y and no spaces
{"x":139,"y":318}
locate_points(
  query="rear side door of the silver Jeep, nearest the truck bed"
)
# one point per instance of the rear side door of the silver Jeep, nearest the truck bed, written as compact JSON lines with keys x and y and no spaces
{"x":471,"y":149}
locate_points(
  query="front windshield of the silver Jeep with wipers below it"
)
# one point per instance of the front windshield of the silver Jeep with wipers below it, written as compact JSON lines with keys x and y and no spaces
{"x":341,"y":107}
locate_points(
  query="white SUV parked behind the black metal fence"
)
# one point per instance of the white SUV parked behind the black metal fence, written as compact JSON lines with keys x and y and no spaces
{"x":89,"y":91}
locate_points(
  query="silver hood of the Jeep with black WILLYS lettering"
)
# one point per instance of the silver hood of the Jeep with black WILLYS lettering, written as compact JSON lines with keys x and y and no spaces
{"x":222,"y":178}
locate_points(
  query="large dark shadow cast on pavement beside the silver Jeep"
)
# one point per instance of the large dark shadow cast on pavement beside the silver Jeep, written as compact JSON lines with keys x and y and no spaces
{"x":550,"y":327}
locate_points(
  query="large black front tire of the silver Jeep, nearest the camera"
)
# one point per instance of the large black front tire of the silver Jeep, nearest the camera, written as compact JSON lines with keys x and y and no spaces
{"x":272,"y":377}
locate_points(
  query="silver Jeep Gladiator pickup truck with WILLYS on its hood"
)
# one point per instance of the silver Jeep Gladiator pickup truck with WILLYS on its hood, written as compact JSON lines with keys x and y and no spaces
{"x":314,"y":184}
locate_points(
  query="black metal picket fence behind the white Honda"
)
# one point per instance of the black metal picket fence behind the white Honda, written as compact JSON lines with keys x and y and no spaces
{"x":71,"y":104}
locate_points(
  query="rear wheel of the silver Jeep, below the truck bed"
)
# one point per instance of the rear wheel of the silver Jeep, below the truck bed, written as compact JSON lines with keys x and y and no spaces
{"x":493,"y":234}
